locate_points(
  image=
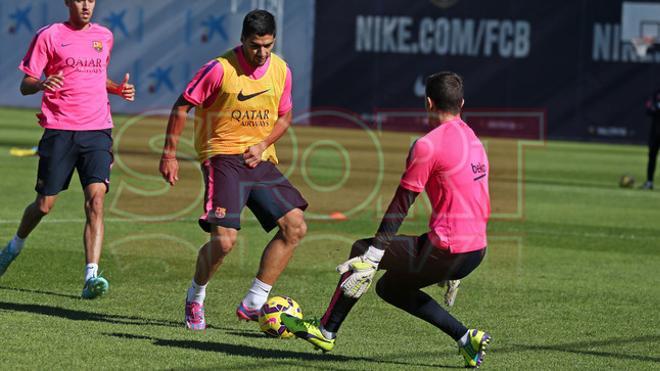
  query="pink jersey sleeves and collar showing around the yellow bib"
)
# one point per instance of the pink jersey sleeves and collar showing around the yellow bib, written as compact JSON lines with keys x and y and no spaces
{"x":205,"y":86}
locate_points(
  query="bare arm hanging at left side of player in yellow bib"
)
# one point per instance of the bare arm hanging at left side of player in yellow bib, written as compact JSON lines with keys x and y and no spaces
{"x":169,"y":166}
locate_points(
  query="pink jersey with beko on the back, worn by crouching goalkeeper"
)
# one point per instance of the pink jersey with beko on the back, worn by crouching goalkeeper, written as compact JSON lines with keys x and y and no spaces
{"x":450,"y":163}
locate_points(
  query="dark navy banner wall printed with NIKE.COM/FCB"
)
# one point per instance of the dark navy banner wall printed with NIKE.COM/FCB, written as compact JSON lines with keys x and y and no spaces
{"x":563,"y":58}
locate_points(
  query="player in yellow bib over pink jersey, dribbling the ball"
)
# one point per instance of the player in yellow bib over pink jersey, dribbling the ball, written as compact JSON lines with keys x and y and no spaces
{"x":242,"y":102}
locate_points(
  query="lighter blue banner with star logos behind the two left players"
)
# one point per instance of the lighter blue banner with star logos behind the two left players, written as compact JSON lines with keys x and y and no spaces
{"x":161,"y":43}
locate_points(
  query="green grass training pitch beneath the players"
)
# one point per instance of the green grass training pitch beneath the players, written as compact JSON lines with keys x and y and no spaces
{"x":570,"y":280}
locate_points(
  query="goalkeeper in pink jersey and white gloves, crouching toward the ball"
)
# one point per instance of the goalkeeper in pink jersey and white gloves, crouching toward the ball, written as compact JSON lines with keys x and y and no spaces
{"x":451,"y":165}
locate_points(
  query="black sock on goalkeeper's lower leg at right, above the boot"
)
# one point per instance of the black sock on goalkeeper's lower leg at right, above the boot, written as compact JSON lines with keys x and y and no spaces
{"x":422,"y":306}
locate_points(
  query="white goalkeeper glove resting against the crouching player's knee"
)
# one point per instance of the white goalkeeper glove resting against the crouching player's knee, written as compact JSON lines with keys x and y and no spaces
{"x":362,"y":268}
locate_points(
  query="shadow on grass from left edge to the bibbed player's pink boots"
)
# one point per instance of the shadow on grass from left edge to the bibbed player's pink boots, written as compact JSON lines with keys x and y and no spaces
{"x":78,"y":315}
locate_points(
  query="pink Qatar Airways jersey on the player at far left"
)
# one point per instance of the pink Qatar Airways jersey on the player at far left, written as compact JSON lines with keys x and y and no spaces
{"x":82,"y":56}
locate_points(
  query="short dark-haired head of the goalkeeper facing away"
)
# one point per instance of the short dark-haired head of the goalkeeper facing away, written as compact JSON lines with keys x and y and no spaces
{"x":446,"y":91}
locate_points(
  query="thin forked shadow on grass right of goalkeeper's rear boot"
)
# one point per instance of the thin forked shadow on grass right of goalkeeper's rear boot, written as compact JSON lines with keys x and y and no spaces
{"x":583,"y":348}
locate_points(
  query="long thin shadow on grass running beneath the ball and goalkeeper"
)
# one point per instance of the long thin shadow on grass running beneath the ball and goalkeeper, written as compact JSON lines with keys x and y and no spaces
{"x":263,"y":353}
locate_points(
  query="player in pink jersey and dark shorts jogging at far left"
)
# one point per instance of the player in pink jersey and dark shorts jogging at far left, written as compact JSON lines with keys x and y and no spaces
{"x":75,"y":115}
